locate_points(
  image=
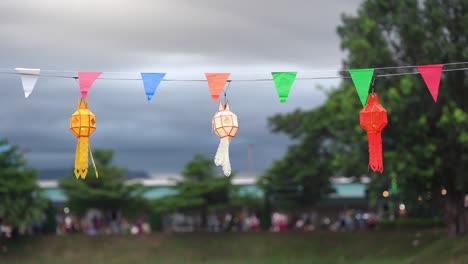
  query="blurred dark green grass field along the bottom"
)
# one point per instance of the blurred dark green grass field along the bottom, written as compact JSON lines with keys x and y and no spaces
{"x":432,"y":246}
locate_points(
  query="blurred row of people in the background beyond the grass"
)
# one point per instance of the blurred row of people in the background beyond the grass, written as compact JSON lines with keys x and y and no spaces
{"x":96,"y":222}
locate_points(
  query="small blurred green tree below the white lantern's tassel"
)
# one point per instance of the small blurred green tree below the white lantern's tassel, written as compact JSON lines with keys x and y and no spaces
{"x":200,"y":188}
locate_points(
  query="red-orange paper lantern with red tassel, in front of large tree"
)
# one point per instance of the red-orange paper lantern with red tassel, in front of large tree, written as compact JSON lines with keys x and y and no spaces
{"x":373,"y":119}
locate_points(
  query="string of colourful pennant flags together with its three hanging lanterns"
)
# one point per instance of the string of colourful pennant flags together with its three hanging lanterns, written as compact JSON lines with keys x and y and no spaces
{"x":373,"y":116}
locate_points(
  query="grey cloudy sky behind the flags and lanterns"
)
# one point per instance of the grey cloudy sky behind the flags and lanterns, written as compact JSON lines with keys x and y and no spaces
{"x":184,"y":38}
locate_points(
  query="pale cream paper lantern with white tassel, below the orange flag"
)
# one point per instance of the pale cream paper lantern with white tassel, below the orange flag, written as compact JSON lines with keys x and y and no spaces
{"x":225,"y":125}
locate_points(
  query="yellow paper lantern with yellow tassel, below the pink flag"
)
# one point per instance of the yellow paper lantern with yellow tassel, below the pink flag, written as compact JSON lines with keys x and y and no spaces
{"x":83,"y":124}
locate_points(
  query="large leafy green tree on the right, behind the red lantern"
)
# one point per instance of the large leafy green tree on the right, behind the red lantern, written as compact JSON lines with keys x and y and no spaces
{"x":425,"y":143}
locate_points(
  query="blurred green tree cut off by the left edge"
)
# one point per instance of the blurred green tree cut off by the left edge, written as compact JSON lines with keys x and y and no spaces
{"x":21,"y":202}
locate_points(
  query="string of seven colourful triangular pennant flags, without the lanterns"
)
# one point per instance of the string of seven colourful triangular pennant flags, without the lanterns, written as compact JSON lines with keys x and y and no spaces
{"x":283,"y":81}
